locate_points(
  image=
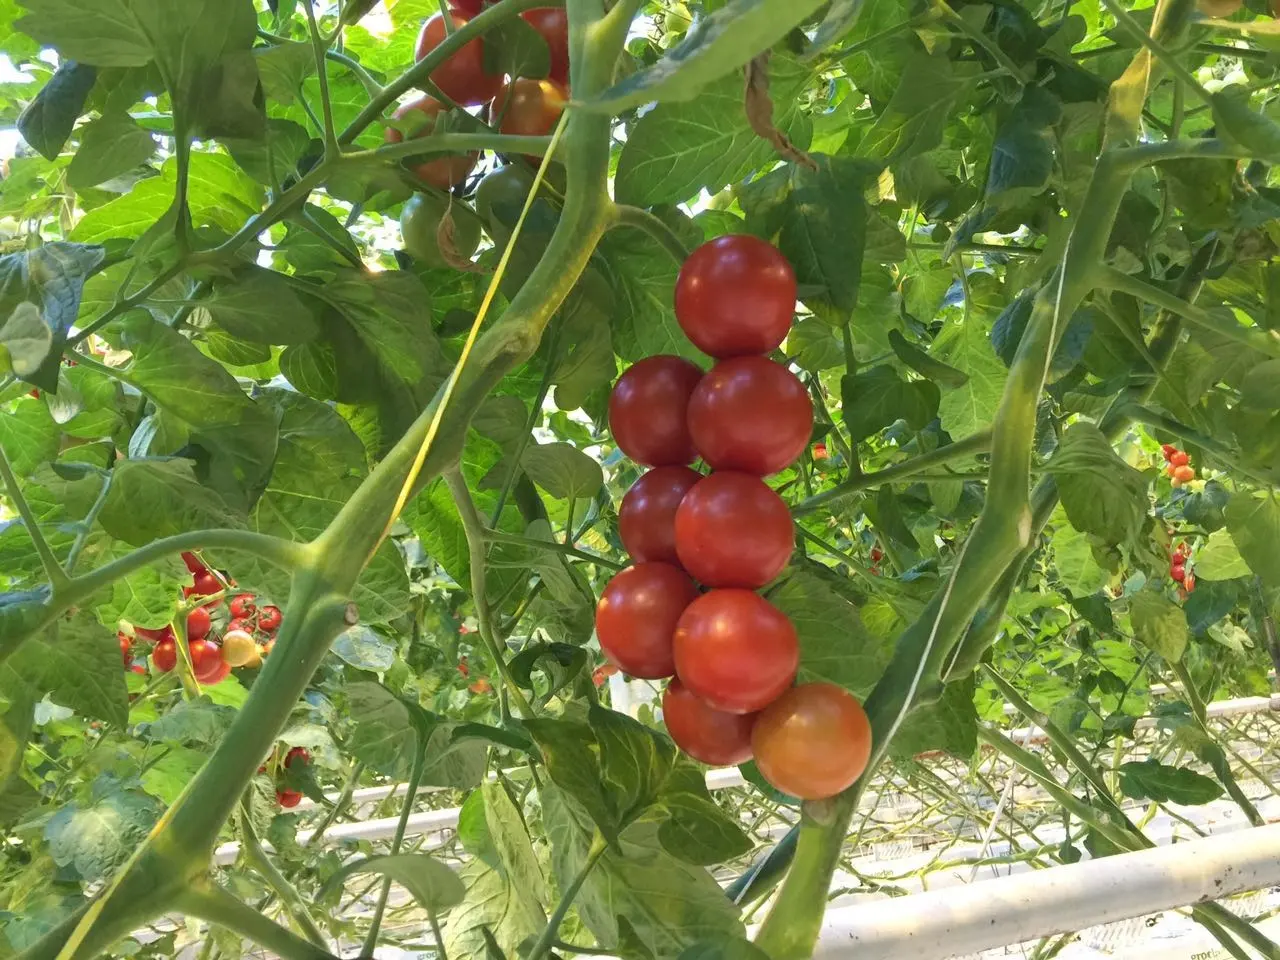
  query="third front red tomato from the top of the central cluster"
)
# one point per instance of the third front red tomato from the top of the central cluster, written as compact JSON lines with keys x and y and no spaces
{"x":733,"y":531}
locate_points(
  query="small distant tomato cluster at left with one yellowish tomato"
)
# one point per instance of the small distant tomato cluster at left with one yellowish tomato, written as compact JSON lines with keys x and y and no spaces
{"x":212,"y":657}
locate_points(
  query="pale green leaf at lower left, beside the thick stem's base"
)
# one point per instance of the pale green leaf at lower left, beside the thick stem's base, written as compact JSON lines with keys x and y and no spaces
{"x":97,"y":839}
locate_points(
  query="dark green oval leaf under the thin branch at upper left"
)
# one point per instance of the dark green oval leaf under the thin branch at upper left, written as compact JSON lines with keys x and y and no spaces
{"x":262,"y":307}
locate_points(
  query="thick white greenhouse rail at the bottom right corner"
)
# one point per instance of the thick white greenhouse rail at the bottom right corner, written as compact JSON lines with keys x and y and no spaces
{"x":995,"y":913}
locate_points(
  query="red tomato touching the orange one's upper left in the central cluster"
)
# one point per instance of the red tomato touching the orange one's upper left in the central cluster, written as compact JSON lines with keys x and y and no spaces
{"x":735,"y":651}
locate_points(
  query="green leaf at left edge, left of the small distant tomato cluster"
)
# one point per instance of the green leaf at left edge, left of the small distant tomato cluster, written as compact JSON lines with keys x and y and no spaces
{"x":77,"y":664}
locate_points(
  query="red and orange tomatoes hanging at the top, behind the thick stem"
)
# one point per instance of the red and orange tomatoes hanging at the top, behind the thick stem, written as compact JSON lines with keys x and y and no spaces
{"x":520,"y":107}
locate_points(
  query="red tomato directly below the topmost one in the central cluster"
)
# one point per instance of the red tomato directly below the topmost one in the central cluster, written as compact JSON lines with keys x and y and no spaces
{"x":751,"y":414}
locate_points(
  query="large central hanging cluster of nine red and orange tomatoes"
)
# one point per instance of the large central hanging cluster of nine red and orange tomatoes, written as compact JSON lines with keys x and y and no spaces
{"x":705,"y":545}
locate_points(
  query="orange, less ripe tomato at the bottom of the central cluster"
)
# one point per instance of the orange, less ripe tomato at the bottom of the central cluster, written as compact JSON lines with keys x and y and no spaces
{"x":813,"y":742}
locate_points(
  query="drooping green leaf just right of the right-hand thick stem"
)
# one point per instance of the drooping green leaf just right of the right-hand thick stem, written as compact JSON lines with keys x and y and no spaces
{"x":1101,"y":493}
